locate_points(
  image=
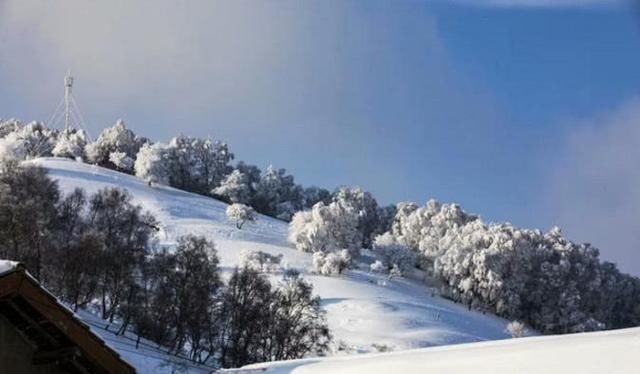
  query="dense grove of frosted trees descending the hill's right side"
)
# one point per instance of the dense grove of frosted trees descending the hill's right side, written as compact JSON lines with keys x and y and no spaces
{"x":541,"y":279}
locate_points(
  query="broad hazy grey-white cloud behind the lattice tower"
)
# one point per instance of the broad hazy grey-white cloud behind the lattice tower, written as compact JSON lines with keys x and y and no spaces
{"x":335,"y":73}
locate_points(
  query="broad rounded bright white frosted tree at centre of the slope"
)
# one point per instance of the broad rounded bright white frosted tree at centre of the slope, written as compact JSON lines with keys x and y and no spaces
{"x":325,"y":228}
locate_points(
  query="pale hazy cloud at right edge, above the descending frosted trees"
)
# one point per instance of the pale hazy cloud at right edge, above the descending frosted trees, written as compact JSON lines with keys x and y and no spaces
{"x":594,"y":189}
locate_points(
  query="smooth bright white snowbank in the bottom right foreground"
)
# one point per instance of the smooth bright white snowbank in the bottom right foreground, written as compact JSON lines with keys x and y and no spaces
{"x":597,"y":352}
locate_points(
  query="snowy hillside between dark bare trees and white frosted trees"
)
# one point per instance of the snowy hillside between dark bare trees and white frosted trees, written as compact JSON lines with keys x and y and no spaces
{"x":366,"y":312}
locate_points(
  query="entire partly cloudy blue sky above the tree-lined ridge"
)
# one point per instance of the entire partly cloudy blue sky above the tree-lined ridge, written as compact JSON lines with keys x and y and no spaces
{"x":524,"y":111}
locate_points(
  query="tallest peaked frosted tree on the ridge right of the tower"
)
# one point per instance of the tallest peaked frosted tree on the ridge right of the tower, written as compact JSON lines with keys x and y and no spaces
{"x":119,"y":141}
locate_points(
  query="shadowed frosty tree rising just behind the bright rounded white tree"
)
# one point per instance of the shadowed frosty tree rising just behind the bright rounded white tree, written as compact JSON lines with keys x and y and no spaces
{"x":365,"y":206}
